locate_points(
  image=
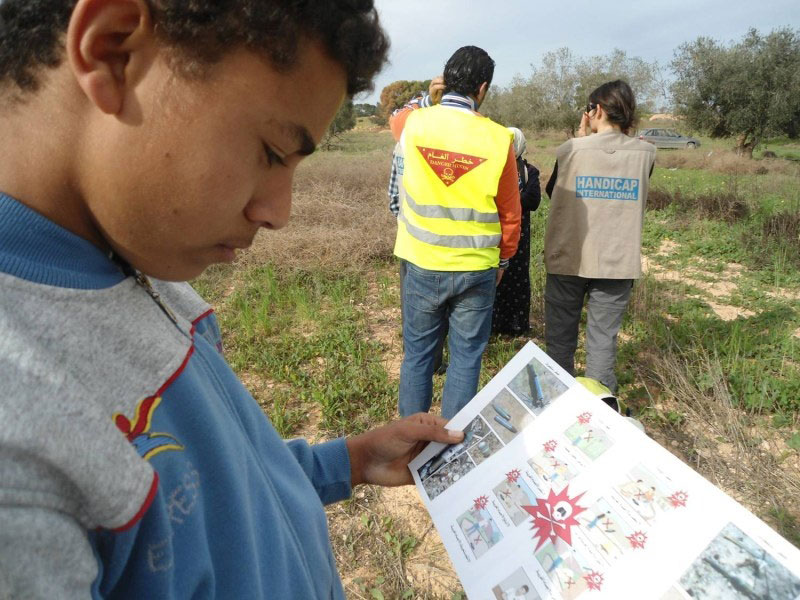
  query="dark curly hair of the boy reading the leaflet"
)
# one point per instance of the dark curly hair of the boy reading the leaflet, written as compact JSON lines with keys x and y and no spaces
{"x":202,"y":31}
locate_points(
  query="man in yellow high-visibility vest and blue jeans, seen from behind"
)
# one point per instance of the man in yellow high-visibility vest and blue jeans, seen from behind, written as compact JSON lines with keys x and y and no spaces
{"x":458,"y":225}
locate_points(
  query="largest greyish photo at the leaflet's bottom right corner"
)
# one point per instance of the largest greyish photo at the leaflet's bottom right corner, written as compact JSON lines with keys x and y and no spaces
{"x":734,"y":566}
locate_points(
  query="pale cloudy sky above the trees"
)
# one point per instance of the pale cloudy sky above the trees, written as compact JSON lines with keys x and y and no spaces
{"x":516,"y":33}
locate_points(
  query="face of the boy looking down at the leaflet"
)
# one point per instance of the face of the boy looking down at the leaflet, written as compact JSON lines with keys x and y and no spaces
{"x":190,"y":170}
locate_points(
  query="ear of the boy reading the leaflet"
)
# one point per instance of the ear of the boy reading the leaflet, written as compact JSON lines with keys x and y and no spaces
{"x":106,"y":43}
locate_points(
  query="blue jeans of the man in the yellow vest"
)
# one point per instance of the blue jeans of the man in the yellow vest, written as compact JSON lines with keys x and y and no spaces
{"x":431,"y":299}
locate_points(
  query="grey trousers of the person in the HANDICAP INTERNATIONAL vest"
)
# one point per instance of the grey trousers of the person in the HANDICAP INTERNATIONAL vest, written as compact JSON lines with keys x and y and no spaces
{"x":563,"y":301}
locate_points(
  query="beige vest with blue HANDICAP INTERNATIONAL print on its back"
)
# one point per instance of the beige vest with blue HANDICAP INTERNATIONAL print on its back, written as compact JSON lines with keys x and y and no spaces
{"x":594,"y":228}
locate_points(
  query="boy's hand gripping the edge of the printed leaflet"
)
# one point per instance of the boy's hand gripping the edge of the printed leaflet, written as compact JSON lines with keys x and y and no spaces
{"x":381,"y":456}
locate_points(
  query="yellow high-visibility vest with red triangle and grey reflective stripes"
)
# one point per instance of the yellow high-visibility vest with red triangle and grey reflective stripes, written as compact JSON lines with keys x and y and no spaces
{"x":448,"y":217}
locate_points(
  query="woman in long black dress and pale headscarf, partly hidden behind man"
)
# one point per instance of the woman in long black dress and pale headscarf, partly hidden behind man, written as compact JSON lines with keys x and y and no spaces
{"x":512,"y":302}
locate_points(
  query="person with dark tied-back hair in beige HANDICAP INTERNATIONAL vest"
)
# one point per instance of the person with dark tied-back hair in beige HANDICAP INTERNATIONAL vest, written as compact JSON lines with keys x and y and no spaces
{"x":598,"y":193}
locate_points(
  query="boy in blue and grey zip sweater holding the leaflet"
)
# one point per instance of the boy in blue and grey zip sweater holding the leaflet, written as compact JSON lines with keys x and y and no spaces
{"x":148,"y":139}
